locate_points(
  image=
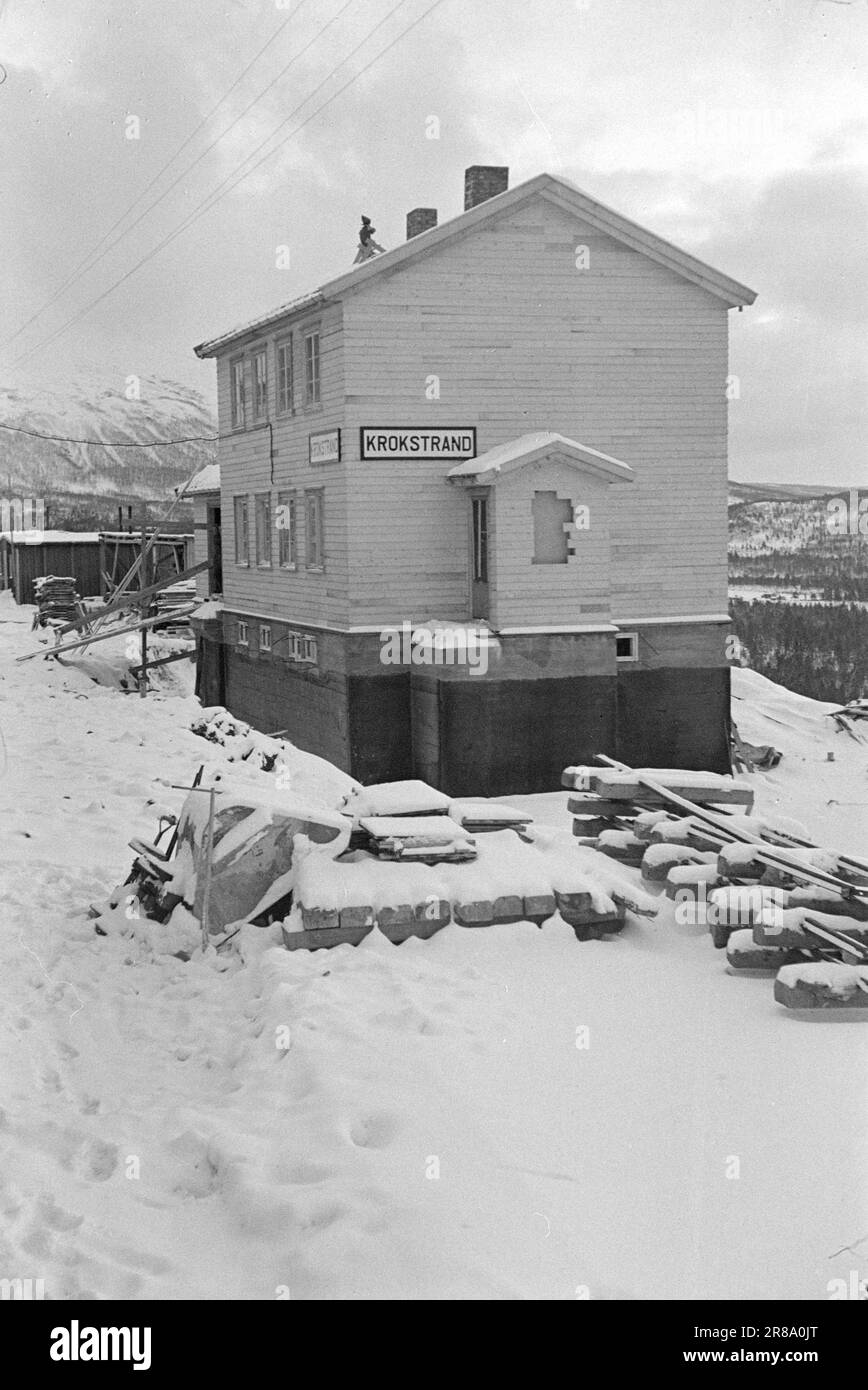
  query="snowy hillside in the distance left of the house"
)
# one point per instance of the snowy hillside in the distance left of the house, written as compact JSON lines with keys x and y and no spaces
{"x":108,"y":411}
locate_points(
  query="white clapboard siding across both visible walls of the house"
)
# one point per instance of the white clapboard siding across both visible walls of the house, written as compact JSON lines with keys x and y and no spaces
{"x":624,"y":357}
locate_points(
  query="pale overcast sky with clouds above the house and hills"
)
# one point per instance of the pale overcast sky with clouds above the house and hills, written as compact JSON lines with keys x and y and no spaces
{"x":737,"y":129}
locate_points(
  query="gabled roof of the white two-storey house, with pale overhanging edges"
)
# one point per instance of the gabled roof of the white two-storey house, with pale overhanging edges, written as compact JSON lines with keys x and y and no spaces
{"x":552,"y":187}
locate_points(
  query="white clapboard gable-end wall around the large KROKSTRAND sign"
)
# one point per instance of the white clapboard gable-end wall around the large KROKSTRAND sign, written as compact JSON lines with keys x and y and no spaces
{"x":624,"y":357}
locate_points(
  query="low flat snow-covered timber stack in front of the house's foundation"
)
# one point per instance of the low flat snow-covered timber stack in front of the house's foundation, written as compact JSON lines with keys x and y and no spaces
{"x":418,"y":861}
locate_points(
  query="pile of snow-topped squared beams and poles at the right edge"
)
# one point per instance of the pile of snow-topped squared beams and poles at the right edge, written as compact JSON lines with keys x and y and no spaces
{"x":775,"y":901}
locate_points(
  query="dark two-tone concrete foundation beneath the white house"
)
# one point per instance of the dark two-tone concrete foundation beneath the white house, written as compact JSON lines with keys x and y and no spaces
{"x":510,"y":730}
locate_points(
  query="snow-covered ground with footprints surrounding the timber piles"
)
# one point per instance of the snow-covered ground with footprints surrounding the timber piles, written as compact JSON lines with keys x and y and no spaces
{"x":492,"y":1114}
